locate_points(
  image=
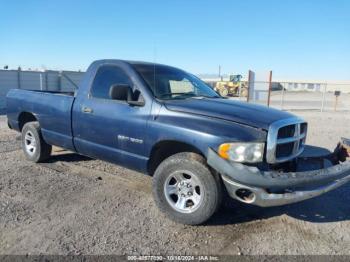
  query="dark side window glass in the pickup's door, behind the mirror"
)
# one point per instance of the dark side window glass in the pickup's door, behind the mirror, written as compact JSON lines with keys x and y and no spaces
{"x":105,"y":77}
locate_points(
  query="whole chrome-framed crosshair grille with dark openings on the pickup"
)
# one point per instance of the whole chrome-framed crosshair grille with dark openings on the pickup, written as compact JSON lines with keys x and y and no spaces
{"x":285,"y":140}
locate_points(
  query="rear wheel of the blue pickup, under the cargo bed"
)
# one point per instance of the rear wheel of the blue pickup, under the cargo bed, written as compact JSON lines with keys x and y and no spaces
{"x":34,"y":147}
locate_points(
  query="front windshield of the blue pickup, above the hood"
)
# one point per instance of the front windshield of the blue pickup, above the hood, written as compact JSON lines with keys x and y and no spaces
{"x":171,"y":83}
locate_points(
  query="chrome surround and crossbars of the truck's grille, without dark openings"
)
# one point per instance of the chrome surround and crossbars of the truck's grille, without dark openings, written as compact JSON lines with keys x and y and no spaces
{"x":273,"y":141}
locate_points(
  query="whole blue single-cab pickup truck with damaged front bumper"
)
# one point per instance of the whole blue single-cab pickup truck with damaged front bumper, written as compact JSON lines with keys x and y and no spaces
{"x":167,"y":123}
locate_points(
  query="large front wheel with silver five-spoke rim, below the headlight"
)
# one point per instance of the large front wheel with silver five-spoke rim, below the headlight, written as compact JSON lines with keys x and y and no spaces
{"x":185,"y":189}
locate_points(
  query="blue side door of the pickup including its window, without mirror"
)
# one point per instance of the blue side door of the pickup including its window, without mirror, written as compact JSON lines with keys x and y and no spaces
{"x":108,"y":129}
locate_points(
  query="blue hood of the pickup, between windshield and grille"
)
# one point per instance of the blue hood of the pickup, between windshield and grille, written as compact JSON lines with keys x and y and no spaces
{"x":240,"y":112}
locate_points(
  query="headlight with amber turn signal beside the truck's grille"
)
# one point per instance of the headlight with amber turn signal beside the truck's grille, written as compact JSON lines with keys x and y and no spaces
{"x":242,"y":152}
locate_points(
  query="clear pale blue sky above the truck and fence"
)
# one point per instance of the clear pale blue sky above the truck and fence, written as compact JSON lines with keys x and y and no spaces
{"x":296,"y":39}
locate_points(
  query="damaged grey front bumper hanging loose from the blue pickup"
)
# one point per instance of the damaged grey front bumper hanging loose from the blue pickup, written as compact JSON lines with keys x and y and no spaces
{"x":274,"y":188}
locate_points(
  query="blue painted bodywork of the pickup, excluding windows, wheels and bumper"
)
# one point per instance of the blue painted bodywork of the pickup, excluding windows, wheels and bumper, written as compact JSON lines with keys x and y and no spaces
{"x":110,"y":131}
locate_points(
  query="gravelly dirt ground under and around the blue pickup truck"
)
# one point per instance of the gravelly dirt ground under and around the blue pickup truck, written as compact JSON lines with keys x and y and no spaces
{"x":75,"y":205}
